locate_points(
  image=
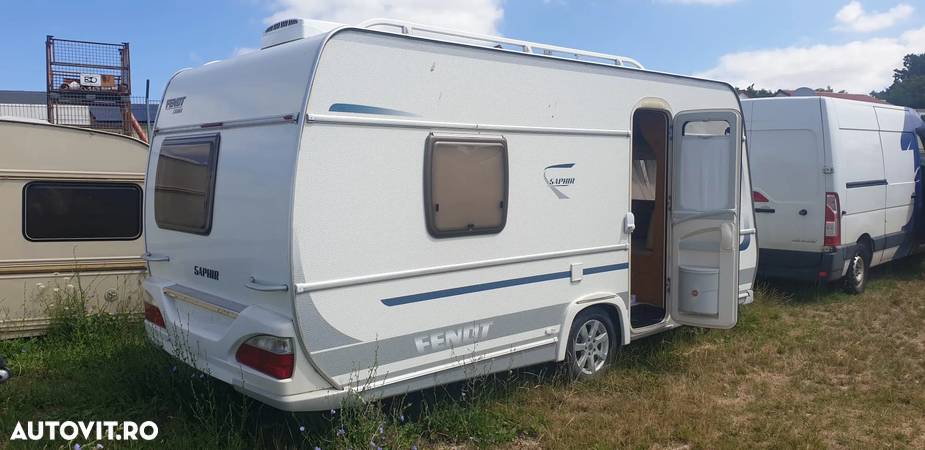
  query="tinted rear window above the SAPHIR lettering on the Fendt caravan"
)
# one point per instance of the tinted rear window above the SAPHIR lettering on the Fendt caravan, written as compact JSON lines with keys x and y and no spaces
{"x":184,"y":188}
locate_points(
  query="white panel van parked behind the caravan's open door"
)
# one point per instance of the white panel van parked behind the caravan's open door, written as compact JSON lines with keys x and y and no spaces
{"x":837,"y":187}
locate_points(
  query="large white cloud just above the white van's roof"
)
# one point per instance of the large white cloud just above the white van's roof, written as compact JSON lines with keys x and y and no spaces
{"x":858,"y":66}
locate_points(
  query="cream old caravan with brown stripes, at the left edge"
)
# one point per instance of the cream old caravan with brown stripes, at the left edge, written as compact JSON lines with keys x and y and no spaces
{"x":72,"y":202}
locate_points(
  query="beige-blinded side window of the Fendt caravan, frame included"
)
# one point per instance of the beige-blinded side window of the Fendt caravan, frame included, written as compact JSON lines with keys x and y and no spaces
{"x":465,"y":185}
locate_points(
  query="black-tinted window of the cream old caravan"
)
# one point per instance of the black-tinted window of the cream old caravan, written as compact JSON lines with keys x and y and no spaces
{"x":76,"y":211}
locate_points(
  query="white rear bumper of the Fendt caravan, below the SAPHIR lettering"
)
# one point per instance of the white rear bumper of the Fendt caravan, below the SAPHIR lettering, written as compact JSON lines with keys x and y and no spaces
{"x":208,"y":341}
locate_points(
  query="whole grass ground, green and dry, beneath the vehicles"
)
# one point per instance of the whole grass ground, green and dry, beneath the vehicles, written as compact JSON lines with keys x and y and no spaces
{"x":807,"y":367}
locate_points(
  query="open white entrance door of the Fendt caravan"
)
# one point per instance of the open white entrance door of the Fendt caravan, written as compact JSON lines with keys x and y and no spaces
{"x":706,"y":154}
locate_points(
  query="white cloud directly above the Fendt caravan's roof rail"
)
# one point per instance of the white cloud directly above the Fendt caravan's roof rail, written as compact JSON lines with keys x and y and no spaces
{"x":481,"y":16}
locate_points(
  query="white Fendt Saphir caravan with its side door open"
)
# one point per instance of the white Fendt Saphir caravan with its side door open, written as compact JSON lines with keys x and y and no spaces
{"x":377,"y":212}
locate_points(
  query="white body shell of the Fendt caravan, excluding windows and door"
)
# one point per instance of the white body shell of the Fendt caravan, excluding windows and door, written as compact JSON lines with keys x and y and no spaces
{"x":319,"y":223}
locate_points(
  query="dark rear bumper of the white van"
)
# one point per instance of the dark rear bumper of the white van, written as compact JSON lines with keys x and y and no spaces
{"x":803,"y":266}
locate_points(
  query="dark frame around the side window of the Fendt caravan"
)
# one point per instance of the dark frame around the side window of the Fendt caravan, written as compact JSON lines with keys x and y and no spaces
{"x":433,"y":139}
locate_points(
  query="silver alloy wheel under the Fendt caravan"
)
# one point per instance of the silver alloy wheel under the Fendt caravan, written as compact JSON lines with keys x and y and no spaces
{"x":591,"y":344}
